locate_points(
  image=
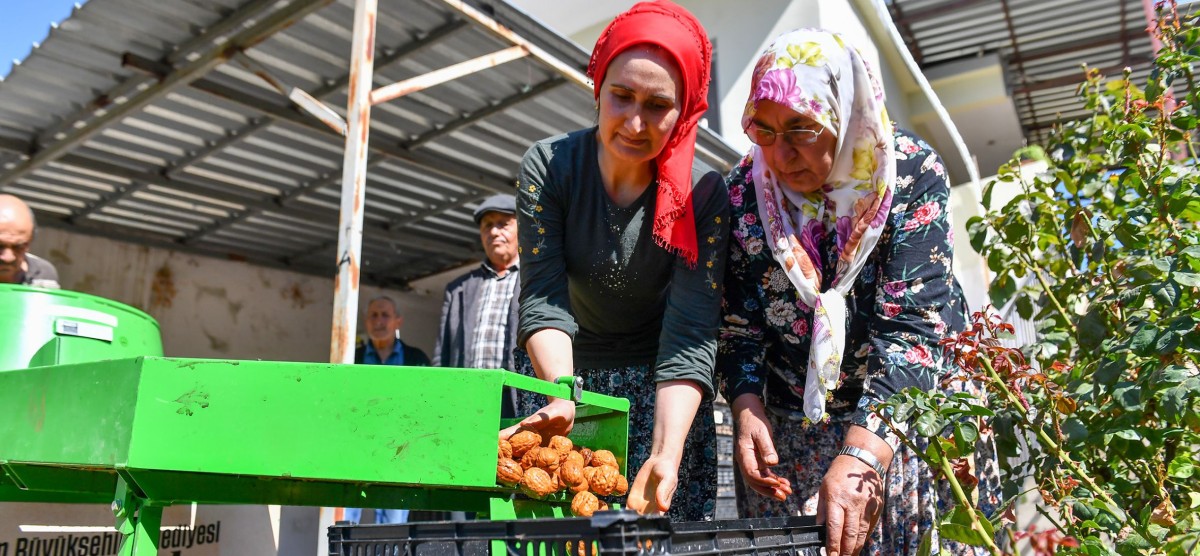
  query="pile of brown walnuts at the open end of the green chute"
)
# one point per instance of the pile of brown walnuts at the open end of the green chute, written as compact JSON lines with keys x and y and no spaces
{"x":544,"y":470}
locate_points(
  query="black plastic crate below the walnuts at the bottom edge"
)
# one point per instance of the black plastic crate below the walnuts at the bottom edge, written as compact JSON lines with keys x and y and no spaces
{"x":607,"y":534}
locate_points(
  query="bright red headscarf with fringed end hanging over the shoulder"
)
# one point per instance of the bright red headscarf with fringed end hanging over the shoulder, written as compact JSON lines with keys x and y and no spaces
{"x":677,"y":32}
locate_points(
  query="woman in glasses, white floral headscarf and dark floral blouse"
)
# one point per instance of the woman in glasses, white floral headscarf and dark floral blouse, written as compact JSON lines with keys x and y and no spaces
{"x":838,"y":289}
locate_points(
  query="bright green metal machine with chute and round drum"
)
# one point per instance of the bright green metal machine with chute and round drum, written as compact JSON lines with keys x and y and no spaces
{"x":100,"y":417}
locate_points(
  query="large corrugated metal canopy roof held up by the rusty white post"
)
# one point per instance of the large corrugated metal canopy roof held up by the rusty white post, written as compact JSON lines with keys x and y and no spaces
{"x":167,"y":123}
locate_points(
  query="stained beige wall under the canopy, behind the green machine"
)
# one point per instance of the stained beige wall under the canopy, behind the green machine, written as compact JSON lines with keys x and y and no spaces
{"x":212,"y":308}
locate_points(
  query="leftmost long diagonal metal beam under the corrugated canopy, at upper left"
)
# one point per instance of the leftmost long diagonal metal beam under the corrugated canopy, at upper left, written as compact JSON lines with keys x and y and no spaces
{"x":253,"y":27}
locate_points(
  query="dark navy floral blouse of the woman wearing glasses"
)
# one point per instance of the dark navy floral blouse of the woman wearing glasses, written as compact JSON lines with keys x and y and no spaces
{"x":904,"y":302}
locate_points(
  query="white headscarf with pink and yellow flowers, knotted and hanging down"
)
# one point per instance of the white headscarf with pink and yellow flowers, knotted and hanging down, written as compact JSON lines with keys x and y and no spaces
{"x":819,"y":75}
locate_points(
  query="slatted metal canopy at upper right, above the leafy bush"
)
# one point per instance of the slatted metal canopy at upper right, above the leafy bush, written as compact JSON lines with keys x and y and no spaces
{"x":1043,"y":44}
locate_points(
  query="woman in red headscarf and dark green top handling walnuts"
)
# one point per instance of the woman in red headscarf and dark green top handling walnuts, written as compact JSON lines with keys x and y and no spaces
{"x":623,"y":237}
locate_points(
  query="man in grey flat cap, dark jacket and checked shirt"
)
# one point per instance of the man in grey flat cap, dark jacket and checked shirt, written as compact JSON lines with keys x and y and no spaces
{"x":479,"y":312}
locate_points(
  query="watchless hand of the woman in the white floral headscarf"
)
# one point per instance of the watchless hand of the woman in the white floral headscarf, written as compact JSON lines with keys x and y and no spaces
{"x":754,"y":450}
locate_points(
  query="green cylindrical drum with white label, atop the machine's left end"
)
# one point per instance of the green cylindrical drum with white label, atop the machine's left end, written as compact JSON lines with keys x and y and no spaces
{"x":51,"y":327}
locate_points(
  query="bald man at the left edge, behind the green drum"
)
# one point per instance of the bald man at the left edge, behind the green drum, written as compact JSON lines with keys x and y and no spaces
{"x":17,"y":265}
